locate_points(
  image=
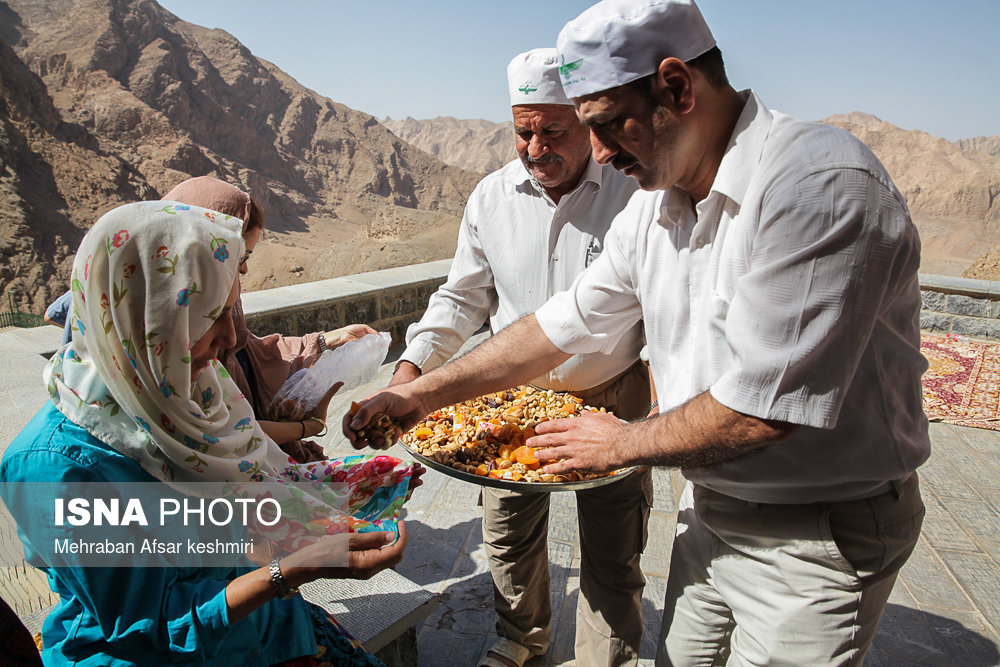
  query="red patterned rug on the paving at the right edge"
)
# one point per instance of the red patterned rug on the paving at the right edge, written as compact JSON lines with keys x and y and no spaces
{"x":962,"y":385}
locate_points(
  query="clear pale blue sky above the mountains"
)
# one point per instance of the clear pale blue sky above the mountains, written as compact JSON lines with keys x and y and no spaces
{"x":922,"y":65}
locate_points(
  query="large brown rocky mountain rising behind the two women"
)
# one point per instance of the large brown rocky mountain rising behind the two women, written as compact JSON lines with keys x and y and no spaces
{"x":108,"y":101}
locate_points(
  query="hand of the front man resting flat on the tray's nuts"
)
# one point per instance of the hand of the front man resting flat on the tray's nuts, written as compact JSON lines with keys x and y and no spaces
{"x":593,"y":441}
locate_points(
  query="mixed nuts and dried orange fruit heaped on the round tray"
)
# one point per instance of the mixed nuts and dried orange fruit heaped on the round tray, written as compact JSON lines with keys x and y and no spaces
{"x":485,"y":436}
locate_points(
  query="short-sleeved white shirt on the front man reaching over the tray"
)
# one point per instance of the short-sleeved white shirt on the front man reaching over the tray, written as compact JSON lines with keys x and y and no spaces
{"x":790,"y":294}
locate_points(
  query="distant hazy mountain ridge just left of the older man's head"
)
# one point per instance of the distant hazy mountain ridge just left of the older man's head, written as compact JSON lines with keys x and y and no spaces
{"x":477,"y":145}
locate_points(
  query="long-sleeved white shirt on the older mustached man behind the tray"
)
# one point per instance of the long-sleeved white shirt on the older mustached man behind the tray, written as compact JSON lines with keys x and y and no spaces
{"x":516,"y":248}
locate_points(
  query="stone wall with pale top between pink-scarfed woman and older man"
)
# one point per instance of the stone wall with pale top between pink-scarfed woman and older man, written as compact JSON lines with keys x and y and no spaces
{"x":388,"y":300}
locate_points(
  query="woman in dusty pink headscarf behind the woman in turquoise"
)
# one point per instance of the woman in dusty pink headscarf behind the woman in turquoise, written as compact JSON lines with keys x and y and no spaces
{"x":260,"y":365}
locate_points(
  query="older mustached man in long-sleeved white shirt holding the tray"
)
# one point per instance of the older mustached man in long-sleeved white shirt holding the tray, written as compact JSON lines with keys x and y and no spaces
{"x":528,"y":231}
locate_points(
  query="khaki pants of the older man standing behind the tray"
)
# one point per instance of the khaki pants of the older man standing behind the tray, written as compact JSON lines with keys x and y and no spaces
{"x":612,"y":527}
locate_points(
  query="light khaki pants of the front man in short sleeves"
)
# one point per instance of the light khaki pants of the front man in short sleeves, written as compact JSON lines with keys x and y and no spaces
{"x":756,"y":584}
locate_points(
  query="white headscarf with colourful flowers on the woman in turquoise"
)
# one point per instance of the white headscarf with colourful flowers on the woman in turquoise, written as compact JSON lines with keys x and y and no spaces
{"x":148,"y":281}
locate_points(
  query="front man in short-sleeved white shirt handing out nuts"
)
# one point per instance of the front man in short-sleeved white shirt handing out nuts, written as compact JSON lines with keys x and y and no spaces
{"x":774,"y":266}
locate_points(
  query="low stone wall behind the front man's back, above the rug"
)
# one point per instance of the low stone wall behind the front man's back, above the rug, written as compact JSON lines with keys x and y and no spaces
{"x":960,"y":306}
